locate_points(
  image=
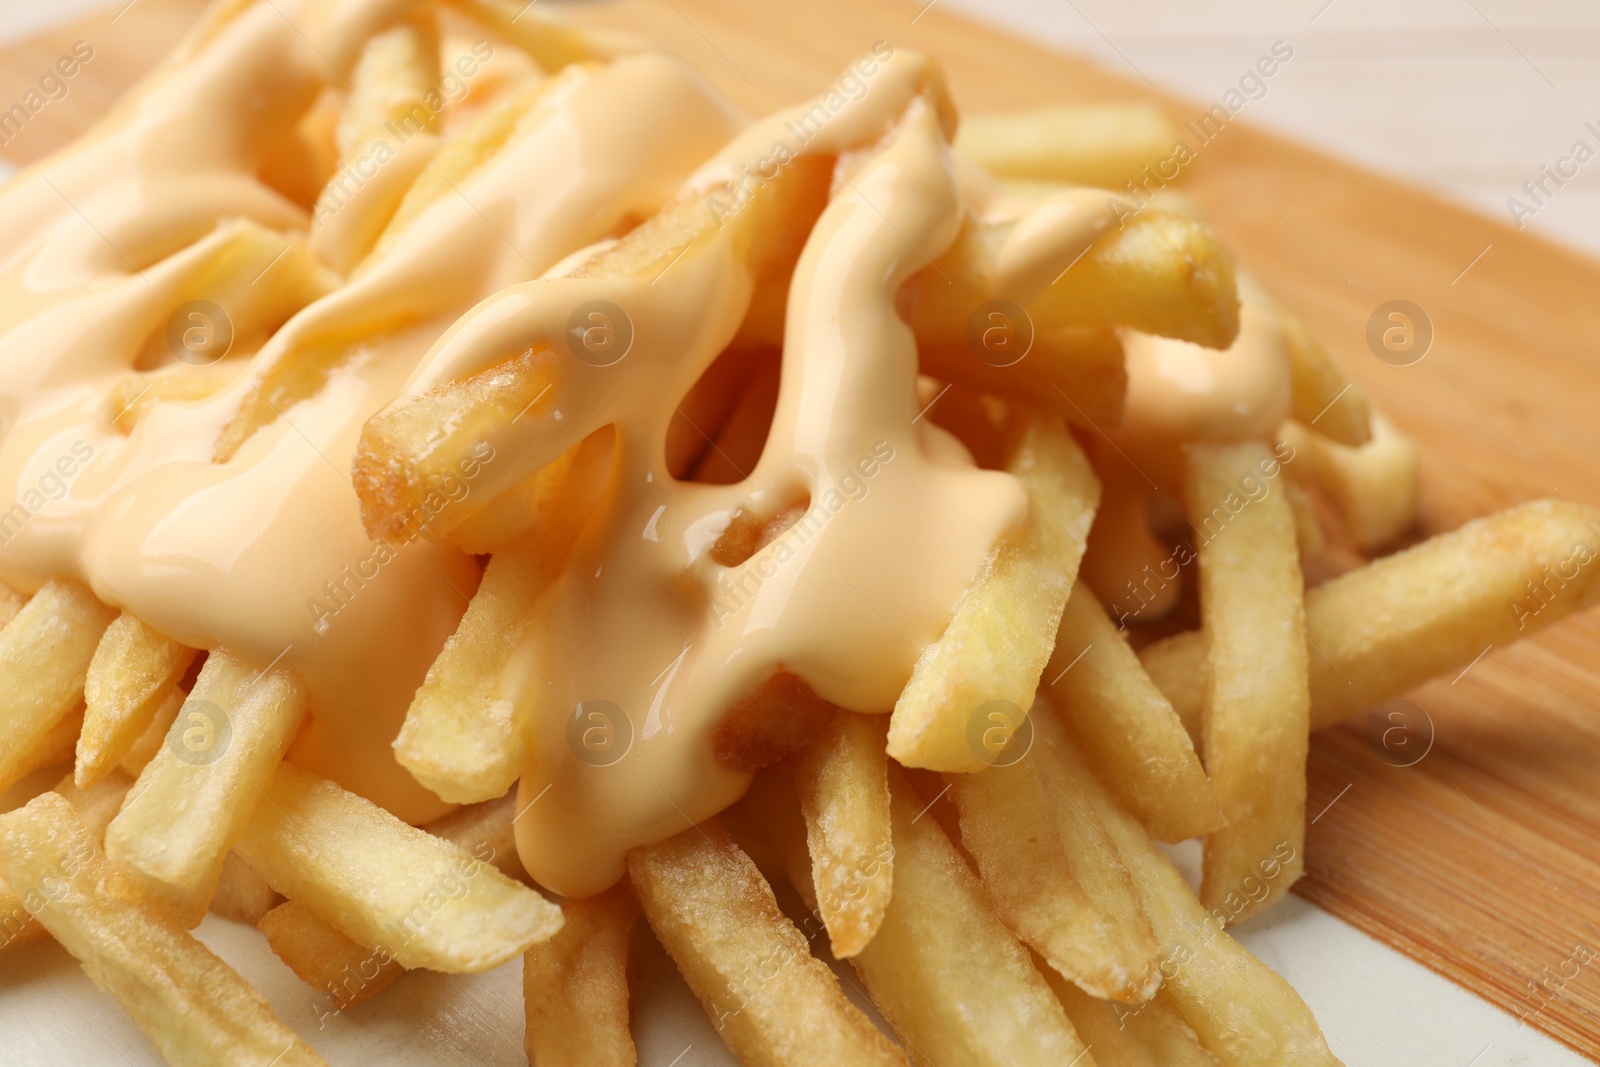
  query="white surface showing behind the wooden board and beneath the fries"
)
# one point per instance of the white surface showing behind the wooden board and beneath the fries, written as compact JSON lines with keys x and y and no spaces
{"x":1463,"y":97}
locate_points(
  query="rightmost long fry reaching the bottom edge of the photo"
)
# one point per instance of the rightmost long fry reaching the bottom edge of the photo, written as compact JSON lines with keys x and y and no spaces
{"x":1242,"y":1013}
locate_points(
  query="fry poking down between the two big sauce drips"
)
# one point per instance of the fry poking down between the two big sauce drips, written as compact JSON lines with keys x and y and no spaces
{"x":466,"y":735}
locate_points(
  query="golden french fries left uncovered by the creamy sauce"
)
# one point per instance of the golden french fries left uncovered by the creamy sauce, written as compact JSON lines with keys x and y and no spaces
{"x":999,"y":895}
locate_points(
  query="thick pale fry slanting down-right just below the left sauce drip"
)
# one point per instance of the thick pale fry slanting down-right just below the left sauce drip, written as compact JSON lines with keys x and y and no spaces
{"x":385,"y":884}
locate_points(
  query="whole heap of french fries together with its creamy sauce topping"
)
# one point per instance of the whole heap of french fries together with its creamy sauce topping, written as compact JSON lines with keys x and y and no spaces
{"x":994,"y":887}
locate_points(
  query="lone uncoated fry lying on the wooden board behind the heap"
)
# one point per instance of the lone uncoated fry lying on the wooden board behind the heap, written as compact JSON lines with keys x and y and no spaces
{"x":1081,"y":145}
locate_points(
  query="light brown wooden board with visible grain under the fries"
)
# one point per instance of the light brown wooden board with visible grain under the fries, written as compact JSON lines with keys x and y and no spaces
{"x":1482,"y":860}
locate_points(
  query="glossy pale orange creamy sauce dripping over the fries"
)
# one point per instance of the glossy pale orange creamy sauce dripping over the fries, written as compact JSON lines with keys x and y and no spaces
{"x":265,"y":554}
